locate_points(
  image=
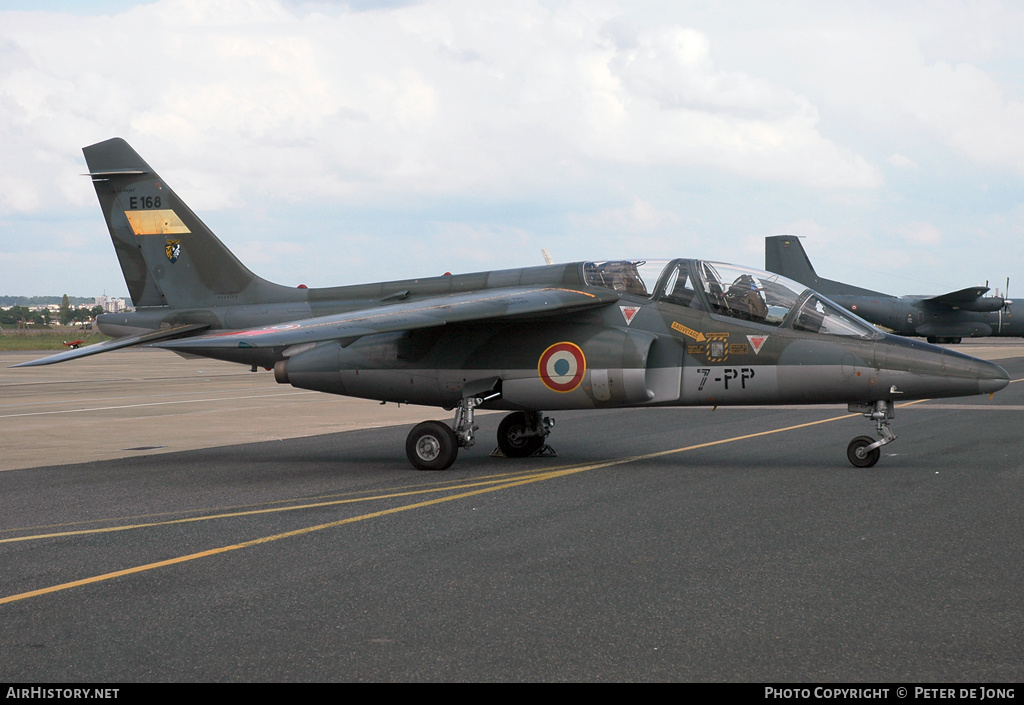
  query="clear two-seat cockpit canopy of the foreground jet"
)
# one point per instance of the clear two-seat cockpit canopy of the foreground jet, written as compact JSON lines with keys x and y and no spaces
{"x":732,"y":292}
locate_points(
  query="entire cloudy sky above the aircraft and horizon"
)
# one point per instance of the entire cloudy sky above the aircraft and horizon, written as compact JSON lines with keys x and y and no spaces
{"x":332,"y":144}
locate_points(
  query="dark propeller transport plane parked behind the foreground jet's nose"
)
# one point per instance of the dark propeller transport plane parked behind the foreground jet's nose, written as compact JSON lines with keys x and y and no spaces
{"x":943,"y":319}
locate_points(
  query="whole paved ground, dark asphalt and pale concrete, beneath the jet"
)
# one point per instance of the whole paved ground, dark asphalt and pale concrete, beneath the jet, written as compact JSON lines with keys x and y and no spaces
{"x":661,"y":545}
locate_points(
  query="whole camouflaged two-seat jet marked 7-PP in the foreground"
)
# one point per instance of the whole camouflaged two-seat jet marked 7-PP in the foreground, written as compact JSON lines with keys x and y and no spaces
{"x":584,"y":336}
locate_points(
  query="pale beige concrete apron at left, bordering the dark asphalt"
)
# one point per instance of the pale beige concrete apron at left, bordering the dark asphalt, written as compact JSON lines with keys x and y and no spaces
{"x":139,"y":402}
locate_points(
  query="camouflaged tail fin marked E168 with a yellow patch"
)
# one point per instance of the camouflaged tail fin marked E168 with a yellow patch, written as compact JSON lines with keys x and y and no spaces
{"x":168,"y":257}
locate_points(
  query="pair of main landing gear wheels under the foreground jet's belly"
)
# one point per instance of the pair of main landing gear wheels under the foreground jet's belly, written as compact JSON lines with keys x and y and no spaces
{"x":435,"y":445}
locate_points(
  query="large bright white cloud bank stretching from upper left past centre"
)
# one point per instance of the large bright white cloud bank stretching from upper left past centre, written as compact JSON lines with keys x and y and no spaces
{"x":431,"y":99}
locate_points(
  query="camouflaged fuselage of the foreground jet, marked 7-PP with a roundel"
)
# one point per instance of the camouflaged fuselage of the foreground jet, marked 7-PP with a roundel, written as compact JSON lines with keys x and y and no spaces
{"x":646,"y":351}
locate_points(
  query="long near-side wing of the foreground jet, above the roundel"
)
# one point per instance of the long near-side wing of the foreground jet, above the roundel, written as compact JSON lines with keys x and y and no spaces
{"x":489,"y":305}
